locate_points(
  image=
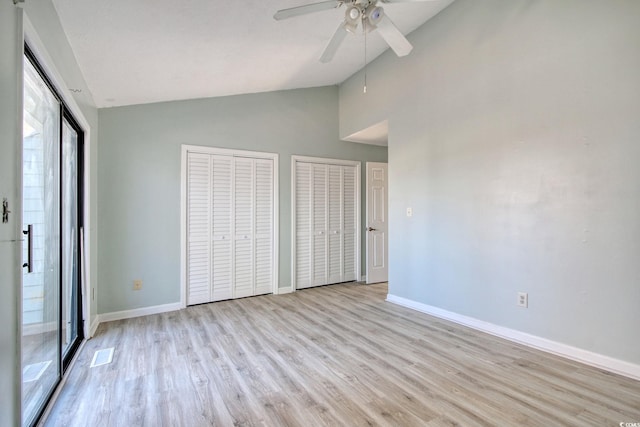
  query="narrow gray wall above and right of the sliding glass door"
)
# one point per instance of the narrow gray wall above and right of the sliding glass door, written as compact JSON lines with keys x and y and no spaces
{"x":60,"y":57}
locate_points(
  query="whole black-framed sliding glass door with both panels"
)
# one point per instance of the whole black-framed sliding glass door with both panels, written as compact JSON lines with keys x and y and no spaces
{"x":51,"y":302}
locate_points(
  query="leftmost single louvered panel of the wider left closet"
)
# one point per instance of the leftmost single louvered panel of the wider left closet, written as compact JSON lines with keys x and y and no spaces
{"x":198,"y":228}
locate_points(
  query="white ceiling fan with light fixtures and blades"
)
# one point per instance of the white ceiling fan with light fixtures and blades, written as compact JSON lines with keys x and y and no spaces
{"x":368,"y":12}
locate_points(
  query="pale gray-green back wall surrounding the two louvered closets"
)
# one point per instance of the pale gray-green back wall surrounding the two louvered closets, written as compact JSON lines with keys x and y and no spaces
{"x":139,"y":177}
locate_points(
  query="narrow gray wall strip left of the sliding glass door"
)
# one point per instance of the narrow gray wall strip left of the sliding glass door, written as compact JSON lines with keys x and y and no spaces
{"x":10,"y":233}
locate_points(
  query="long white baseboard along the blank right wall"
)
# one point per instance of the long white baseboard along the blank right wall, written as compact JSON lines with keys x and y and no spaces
{"x":607,"y":363}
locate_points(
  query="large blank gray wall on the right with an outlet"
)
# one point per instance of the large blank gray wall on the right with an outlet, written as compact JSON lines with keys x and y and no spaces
{"x":514,"y":136}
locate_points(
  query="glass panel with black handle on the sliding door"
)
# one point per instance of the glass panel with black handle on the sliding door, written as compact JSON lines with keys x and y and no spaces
{"x":41,"y":209}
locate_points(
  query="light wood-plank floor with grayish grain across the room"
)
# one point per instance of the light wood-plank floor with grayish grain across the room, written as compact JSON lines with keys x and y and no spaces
{"x":336,"y":355}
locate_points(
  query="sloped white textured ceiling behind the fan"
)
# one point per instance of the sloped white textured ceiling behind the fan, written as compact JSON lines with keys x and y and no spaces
{"x":143,"y":51}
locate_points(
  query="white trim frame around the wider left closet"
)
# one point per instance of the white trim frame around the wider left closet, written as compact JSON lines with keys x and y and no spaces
{"x":186,"y":149}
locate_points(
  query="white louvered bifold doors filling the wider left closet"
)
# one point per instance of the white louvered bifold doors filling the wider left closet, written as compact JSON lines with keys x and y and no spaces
{"x":230,"y":230}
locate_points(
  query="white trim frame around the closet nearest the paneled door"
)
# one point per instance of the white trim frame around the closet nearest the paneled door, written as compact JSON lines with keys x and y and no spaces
{"x":324,"y":161}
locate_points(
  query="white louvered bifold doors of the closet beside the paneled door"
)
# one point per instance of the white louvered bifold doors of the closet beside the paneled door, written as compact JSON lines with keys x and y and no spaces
{"x":325,"y":215}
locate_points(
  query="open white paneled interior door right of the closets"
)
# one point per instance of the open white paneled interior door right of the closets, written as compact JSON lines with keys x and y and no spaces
{"x":377,"y":234}
